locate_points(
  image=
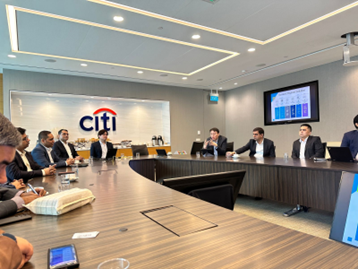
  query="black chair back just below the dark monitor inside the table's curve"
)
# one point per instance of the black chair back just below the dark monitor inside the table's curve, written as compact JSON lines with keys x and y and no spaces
{"x":219,"y":195}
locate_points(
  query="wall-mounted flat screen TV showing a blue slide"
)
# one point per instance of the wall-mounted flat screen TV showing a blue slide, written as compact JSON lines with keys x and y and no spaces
{"x":294,"y":104}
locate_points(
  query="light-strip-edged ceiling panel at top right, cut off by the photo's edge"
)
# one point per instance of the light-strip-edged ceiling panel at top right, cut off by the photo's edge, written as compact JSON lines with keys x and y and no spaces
{"x":245,"y":30}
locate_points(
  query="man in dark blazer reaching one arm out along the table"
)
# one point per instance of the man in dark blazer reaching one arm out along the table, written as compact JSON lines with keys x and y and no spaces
{"x":258,"y":146}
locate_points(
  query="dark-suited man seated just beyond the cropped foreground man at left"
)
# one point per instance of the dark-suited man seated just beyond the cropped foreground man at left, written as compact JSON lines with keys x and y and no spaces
{"x":23,"y":166}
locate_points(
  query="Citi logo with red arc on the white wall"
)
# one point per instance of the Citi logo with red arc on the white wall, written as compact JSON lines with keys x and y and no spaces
{"x":89,"y":121}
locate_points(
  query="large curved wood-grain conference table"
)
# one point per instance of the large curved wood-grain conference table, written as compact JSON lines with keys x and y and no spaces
{"x":153,"y":226}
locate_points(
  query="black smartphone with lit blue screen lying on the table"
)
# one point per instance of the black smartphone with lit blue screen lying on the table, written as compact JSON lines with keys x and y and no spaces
{"x":63,"y":257}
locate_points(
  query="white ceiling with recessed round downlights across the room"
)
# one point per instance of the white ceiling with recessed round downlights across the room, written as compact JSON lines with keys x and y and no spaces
{"x":314,"y":45}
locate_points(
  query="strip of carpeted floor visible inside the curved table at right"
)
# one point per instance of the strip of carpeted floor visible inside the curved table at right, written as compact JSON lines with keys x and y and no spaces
{"x":317,"y":223}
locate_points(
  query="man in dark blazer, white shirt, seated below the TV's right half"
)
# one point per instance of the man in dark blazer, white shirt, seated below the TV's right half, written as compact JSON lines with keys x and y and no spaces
{"x":307,"y":147}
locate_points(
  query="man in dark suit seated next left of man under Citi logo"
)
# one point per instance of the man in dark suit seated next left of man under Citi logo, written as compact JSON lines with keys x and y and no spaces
{"x":66,"y":150}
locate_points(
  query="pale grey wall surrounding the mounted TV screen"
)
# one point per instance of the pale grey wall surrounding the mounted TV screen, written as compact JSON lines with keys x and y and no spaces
{"x":338,"y":96}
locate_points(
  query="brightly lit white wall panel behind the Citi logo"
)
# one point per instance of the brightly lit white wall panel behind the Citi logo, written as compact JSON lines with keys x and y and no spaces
{"x":136,"y":120}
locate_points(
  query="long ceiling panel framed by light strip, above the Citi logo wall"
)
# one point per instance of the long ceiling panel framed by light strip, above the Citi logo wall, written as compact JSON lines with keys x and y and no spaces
{"x":210,"y":56}
